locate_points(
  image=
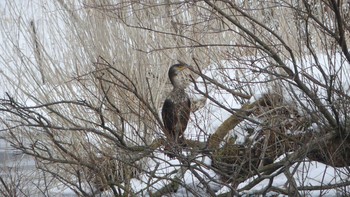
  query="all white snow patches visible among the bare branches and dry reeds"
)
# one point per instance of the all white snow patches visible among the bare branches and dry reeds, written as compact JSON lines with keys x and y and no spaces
{"x":206,"y":120}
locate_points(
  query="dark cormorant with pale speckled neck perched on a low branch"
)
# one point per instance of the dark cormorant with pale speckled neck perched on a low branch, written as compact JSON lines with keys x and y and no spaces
{"x":176,"y":108}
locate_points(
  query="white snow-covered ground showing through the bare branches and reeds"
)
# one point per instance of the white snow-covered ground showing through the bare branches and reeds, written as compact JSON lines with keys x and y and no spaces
{"x":203,"y":122}
